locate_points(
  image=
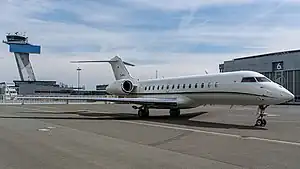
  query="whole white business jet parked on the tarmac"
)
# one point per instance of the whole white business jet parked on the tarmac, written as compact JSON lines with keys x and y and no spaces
{"x":229,"y":88}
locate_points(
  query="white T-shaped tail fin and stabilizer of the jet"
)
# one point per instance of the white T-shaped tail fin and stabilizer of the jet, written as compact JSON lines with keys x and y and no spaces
{"x":118,"y":67}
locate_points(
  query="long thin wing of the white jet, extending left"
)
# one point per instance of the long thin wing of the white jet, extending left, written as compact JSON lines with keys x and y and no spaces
{"x":141,"y":101}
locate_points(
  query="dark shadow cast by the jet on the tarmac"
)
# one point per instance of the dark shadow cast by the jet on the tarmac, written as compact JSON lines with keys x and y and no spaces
{"x":183,"y":119}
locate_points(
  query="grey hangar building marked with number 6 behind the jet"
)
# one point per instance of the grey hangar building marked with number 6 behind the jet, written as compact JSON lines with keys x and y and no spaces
{"x":281,"y":67}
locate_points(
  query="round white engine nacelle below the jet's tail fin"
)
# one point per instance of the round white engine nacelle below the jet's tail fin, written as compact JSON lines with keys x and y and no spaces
{"x":120,"y":87}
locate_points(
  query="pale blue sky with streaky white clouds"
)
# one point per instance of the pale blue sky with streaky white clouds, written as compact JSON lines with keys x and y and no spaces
{"x":174,"y":37}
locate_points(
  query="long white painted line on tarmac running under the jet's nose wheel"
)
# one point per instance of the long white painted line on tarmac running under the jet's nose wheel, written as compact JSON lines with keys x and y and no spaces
{"x":213,"y":133}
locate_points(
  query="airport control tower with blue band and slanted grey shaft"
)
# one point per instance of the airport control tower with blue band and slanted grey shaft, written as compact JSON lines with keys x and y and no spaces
{"x":18,"y":44}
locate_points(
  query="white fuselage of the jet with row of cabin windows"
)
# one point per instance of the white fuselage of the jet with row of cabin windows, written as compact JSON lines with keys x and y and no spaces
{"x":223,"y":89}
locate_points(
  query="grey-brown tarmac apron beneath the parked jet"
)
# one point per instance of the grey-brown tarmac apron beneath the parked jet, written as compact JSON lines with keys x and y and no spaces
{"x":111,"y":136}
